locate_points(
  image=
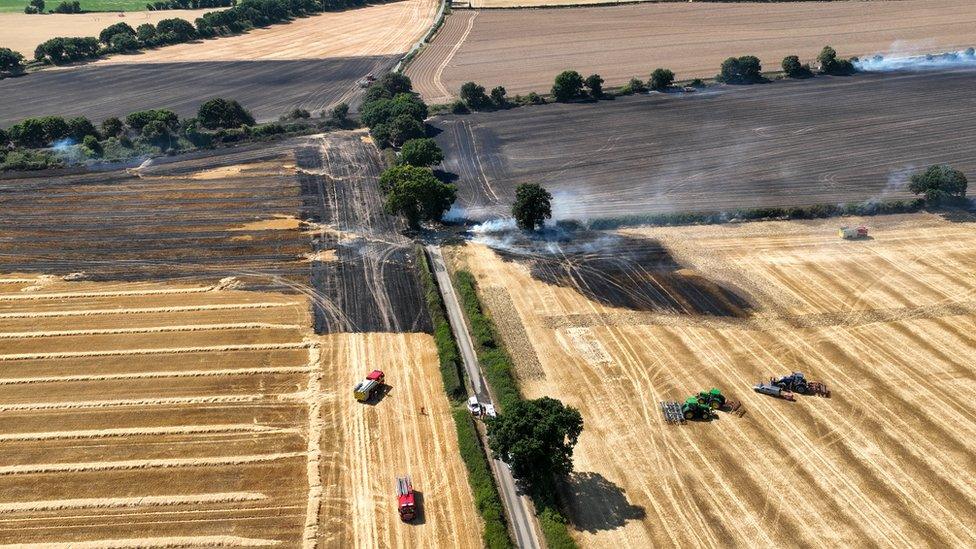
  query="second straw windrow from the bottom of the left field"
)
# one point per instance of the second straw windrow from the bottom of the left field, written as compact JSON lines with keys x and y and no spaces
{"x":140,"y":501}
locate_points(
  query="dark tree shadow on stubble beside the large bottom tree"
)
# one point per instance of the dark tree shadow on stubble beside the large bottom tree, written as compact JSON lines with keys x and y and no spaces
{"x":597,"y":504}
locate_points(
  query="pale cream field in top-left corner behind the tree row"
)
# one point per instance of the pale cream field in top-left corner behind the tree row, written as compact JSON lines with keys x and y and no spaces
{"x":22,"y":32}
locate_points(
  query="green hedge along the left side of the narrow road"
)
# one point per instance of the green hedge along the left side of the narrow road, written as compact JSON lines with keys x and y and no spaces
{"x":486,"y":498}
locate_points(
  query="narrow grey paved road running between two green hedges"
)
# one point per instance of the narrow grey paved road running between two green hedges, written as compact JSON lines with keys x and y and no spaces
{"x":519,"y":508}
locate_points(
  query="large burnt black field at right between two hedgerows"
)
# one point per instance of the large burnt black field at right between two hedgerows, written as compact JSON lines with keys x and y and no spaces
{"x":738,"y":147}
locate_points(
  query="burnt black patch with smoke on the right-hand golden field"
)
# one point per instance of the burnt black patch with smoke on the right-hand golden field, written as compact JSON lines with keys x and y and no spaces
{"x":622,"y":271}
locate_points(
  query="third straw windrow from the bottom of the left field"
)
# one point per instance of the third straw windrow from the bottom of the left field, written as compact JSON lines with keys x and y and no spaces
{"x":136,"y":464}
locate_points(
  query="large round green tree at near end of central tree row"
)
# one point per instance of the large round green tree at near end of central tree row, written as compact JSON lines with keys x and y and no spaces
{"x":416,"y":194}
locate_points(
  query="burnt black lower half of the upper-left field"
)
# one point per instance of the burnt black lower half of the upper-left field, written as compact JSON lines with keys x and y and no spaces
{"x":269,"y":89}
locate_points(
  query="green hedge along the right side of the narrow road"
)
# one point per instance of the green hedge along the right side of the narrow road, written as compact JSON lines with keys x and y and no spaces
{"x":498,"y":368}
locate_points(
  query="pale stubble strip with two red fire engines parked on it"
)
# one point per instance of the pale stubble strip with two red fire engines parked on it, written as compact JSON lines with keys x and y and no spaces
{"x":410,"y":431}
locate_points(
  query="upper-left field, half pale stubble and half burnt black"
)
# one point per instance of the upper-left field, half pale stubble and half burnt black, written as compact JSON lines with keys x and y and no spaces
{"x":312,"y":63}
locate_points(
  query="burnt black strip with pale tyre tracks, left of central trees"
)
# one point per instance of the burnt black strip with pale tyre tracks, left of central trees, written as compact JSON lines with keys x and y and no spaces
{"x":367,"y":277}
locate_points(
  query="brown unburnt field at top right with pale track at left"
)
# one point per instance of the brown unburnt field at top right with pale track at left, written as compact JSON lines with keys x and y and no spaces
{"x":523,"y":50}
